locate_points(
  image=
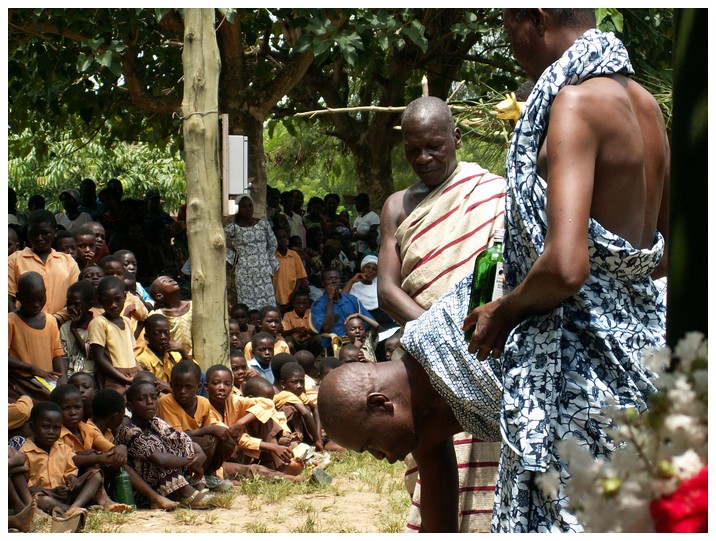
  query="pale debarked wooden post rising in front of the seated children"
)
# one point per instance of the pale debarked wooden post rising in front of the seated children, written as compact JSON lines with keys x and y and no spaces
{"x":207,"y":247}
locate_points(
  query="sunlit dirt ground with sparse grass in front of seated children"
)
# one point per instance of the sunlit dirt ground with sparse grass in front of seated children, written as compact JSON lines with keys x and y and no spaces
{"x":351,"y":504}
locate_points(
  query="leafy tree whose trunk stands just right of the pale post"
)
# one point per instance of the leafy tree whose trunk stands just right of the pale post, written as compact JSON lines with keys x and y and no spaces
{"x":120,"y":70}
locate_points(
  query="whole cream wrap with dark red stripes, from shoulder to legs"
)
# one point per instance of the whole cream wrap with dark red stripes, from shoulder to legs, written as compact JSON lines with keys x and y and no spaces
{"x":439,"y":241}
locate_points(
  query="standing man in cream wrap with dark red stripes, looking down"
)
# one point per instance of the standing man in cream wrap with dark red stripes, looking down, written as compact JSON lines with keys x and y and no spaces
{"x":431,"y":233}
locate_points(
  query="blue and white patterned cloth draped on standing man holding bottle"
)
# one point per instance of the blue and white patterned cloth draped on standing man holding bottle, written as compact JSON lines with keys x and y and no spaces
{"x":561,"y":369}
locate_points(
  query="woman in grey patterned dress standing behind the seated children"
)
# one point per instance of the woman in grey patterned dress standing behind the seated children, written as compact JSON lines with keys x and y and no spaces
{"x":250,"y":249}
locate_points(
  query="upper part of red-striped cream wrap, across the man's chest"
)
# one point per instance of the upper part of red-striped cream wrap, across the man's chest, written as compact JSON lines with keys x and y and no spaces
{"x":440,"y":238}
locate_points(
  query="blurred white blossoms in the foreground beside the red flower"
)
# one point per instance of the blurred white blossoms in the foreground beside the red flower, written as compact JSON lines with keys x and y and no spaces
{"x":654,"y":452}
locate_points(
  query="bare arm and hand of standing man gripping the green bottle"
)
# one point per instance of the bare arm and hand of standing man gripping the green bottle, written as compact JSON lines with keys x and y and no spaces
{"x":563,"y":267}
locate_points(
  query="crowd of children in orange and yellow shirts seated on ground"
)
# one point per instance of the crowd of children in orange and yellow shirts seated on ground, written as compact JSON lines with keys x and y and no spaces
{"x":102,"y":380}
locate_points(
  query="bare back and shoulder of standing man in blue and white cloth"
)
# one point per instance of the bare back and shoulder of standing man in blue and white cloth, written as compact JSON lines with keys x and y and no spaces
{"x":628,"y":146}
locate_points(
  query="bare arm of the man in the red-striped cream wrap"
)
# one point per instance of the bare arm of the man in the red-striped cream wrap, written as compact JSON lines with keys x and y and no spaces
{"x":392,"y":299}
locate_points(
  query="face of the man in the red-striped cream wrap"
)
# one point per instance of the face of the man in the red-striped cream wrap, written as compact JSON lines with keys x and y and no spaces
{"x":430,"y":148}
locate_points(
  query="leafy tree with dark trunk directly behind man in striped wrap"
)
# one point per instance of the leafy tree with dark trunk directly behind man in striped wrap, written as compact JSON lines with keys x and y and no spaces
{"x":383,"y":60}
